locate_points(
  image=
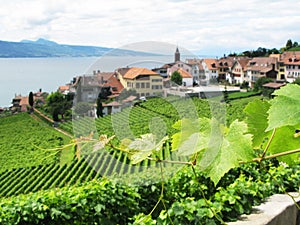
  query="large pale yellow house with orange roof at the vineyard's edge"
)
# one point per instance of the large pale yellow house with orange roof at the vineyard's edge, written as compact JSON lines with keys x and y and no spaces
{"x":146,"y":82}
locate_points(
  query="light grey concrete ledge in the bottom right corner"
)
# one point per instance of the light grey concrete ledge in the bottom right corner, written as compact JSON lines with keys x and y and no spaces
{"x":278,"y":209}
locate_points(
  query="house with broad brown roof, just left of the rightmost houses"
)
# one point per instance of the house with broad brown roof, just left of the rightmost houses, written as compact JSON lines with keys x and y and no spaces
{"x":261,"y":67}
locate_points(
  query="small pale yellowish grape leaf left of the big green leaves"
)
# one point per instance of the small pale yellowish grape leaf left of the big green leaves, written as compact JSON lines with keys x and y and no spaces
{"x":143,"y":147}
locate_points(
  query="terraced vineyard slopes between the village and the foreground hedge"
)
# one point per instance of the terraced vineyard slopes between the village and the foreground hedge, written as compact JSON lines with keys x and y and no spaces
{"x":45,"y":174}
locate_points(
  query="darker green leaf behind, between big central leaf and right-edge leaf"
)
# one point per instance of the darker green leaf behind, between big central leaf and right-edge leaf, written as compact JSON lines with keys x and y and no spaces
{"x":256,"y":112}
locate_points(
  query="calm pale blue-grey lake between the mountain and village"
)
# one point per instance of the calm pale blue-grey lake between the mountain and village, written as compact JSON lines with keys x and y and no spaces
{"x":22,"y":75}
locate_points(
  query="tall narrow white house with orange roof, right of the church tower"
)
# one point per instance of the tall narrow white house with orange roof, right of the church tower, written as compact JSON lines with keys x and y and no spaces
{"x":210,"y":70}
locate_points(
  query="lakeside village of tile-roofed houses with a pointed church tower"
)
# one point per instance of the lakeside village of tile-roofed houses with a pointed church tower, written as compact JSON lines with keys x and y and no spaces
{"x":203,"y":78}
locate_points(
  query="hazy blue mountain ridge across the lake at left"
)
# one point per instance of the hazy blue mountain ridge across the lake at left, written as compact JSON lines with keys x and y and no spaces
{"x":46,"y":48}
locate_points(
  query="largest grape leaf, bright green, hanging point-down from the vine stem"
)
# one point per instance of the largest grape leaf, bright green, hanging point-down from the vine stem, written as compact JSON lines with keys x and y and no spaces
{"x":226,"y":149}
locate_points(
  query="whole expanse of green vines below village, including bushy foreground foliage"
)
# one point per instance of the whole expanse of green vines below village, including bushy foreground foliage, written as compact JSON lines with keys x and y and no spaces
{"x":34,"y":165}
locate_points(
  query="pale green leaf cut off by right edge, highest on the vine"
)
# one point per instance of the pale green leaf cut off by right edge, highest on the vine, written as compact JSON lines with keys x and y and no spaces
{"x":285,"y":107}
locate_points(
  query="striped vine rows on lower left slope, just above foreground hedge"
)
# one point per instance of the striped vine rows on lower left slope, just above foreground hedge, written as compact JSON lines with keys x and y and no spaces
{"x":103,"y":163}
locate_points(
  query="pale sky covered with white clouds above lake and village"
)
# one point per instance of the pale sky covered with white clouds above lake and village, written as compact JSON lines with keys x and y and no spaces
{"x":204,"y":27}
